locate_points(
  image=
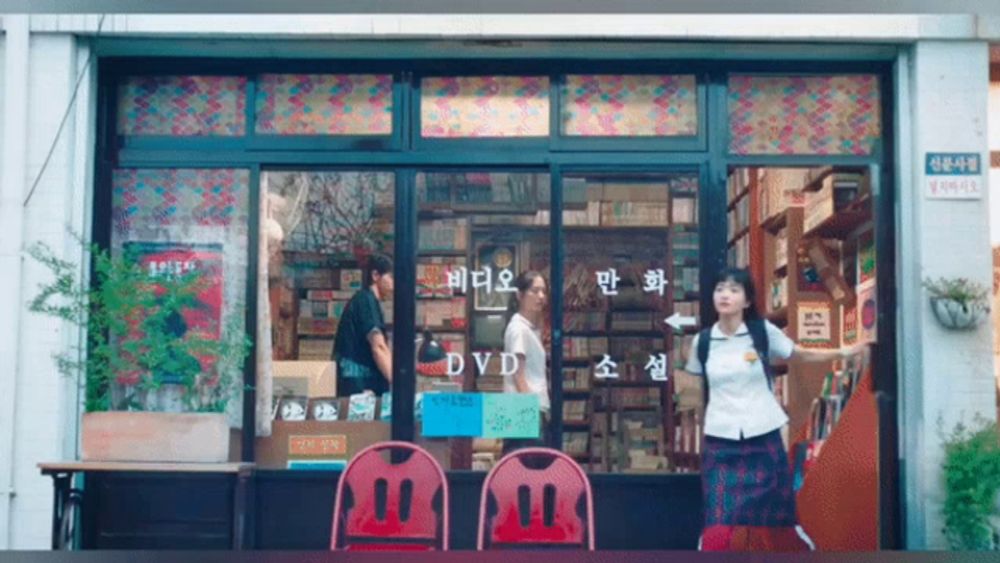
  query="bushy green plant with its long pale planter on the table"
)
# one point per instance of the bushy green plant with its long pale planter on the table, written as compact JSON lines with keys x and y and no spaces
{"x":157,"y":382}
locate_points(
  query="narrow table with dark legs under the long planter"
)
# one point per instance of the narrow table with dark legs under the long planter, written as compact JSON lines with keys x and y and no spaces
{"x":68,"y":500}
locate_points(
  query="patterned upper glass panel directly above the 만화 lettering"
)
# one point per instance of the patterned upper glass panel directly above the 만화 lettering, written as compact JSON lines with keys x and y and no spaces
{"x":630,"y":106}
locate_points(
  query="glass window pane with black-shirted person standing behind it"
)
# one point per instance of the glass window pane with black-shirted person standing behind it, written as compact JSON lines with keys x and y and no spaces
{"x":325,"y":315}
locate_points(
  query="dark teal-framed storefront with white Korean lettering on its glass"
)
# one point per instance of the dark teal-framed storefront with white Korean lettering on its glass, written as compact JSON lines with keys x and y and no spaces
{"x":627,"y":180}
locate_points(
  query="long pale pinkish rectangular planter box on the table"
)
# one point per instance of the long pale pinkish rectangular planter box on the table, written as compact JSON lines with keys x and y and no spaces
{"x":155,"y":437}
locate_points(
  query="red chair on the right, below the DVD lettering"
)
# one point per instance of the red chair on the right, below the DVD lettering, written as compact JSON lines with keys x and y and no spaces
{"x":551,"y":493}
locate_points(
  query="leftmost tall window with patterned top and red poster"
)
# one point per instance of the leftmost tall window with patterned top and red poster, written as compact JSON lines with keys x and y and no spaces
{"x":175,"y":221}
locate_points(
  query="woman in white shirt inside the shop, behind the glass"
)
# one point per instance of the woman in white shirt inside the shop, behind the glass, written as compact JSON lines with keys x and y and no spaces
{"x":523,"y":339}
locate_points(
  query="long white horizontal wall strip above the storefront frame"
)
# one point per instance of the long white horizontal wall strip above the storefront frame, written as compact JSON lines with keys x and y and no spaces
{"x":768,"y":27}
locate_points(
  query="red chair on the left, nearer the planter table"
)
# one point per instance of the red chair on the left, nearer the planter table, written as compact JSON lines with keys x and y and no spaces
{"x":375,"y":521}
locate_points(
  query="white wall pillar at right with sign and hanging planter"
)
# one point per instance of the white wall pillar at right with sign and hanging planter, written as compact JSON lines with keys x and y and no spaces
{"x":944,"y":375}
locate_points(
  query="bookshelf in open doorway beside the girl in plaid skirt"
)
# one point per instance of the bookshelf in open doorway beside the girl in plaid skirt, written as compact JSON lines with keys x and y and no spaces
{"x":813,"y":231}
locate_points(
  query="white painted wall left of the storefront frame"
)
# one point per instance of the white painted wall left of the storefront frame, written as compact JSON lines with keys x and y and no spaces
{"x":44,"y":418}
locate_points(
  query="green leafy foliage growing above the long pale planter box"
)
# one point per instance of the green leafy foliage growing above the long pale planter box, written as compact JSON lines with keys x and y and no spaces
{"x":137,"y":339}
